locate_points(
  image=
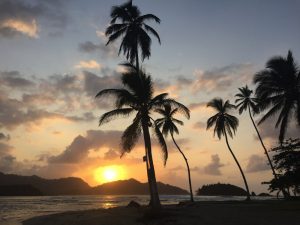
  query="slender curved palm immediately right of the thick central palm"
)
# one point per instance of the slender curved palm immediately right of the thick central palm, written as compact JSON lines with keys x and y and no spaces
{"x":168,"y":125}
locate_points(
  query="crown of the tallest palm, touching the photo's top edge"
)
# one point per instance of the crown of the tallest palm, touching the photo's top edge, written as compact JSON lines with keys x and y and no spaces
{"x":133,"y":30}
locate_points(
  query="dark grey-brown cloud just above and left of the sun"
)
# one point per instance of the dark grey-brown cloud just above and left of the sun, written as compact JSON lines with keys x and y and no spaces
{"x":80,"y":147}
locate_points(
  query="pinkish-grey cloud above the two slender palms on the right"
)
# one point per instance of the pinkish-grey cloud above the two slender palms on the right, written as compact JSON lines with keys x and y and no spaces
{"x":220,"y":79}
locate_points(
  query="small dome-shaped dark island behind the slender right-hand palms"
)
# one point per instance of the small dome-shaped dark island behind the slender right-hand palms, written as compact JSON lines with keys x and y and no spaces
{"x":221,"y":189}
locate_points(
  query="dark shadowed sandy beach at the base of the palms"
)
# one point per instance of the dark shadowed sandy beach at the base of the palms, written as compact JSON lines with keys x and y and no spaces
{"x":202,"y":213}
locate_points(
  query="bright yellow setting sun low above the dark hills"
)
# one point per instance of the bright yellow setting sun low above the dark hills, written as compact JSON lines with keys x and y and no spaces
{"x":109,"y":173}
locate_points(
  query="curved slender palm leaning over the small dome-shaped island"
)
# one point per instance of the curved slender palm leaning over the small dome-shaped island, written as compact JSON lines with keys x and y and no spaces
{"x":225,"y":123}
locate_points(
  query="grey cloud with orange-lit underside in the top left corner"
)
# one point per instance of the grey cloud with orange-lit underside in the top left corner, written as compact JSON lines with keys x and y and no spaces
{"x":23,"y":18}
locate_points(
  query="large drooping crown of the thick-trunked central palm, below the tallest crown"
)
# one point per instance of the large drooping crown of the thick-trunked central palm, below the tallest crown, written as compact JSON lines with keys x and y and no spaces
{"x":133,"y":98}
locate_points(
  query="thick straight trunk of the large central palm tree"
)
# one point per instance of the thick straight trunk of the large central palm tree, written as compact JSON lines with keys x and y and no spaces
{"x":154,"y":197}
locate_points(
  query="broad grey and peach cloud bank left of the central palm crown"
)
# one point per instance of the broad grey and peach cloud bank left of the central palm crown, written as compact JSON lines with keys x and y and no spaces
{"x":25,"y":101}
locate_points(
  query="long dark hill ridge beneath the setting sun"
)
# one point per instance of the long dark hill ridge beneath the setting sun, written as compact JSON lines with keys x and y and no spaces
{"x":34,"y":185}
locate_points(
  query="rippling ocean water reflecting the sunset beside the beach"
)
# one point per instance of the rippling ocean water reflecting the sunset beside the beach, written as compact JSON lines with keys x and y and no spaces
{"x":13,"y":210}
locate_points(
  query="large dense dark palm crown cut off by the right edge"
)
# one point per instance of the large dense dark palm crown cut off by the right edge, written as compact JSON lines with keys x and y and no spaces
{"x":278,"y":91}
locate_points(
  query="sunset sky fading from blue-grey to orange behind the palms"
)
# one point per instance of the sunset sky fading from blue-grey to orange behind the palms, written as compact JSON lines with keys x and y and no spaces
{"x":53,"y":61}
